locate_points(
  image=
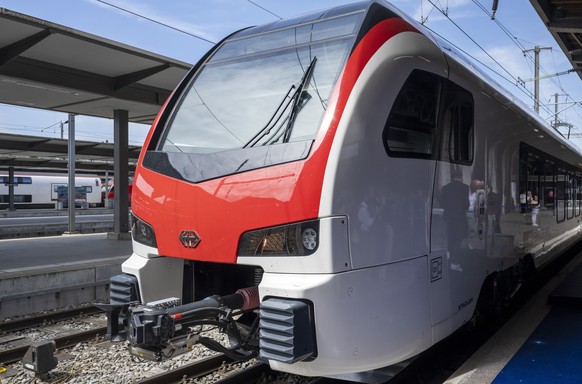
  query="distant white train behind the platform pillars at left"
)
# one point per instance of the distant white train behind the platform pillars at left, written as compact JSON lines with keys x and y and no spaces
{"x":49,"y":190}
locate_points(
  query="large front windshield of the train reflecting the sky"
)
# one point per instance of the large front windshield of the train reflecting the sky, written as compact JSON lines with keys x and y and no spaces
{"x":266,"y":89}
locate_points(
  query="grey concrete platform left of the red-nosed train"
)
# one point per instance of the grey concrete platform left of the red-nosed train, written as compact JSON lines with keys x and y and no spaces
{"x":58,"y":271}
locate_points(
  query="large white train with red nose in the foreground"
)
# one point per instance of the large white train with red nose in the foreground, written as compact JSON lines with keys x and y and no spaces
{"x":336,"y":193}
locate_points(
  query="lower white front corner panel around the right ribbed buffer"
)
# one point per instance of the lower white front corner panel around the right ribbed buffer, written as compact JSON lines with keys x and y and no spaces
{"x":352,"y":341}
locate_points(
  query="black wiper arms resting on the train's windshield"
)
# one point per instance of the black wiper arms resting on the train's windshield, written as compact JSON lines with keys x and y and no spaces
{"x":294,"y":98}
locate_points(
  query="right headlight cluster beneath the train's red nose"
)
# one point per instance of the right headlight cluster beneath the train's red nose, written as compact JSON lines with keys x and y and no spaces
{"x":298,"y":239}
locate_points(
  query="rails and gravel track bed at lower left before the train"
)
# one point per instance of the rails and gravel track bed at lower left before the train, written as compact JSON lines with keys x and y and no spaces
{"x":74,"y":345}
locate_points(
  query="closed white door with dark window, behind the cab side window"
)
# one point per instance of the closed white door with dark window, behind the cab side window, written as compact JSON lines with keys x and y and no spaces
{"x":458,"y":225}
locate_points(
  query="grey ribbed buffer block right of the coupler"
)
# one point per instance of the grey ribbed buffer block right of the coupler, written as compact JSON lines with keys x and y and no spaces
{"x":286,"y":331}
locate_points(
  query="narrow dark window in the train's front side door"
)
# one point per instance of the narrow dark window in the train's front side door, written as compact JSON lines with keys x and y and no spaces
{"x":457,"y":125}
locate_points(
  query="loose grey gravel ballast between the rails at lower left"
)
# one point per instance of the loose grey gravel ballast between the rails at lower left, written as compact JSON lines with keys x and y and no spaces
{"x":100,"y":361}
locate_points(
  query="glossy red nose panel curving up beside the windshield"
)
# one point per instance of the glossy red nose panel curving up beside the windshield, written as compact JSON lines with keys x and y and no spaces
{"x":205,"y":221}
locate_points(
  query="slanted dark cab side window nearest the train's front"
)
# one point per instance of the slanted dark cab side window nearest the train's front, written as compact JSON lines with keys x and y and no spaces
{"x":411,"y":125}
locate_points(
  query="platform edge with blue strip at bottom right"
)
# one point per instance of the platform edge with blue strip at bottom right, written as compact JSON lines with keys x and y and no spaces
{"x":542,"y":343}
